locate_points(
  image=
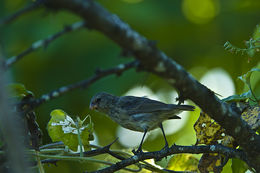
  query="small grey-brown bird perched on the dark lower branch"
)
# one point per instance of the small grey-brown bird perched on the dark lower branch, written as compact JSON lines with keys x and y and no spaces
{"x":137,"y":113}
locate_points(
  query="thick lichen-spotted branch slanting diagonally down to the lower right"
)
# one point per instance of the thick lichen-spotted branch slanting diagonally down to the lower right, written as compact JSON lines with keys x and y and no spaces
{"x":155,"y":61}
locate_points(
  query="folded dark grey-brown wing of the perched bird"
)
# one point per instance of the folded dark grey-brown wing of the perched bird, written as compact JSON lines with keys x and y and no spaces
{"x":139,"y":105}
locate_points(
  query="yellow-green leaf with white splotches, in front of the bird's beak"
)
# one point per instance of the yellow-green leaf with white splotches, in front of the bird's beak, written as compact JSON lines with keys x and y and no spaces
{"x":62,"y":127}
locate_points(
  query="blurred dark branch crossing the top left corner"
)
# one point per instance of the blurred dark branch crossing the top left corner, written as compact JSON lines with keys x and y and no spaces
{"x":20,"y":12}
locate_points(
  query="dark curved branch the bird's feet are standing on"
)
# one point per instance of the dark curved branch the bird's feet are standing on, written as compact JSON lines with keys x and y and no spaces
{"x":175,"y":149}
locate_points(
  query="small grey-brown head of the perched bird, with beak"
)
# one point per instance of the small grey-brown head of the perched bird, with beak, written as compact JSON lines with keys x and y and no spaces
{"x":102,"y":102}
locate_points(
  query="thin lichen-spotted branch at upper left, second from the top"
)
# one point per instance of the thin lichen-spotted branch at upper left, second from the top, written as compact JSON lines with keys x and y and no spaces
{"x":42,"y":43}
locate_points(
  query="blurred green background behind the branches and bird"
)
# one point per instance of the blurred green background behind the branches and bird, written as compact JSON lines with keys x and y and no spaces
{"x":193,"y":32}
